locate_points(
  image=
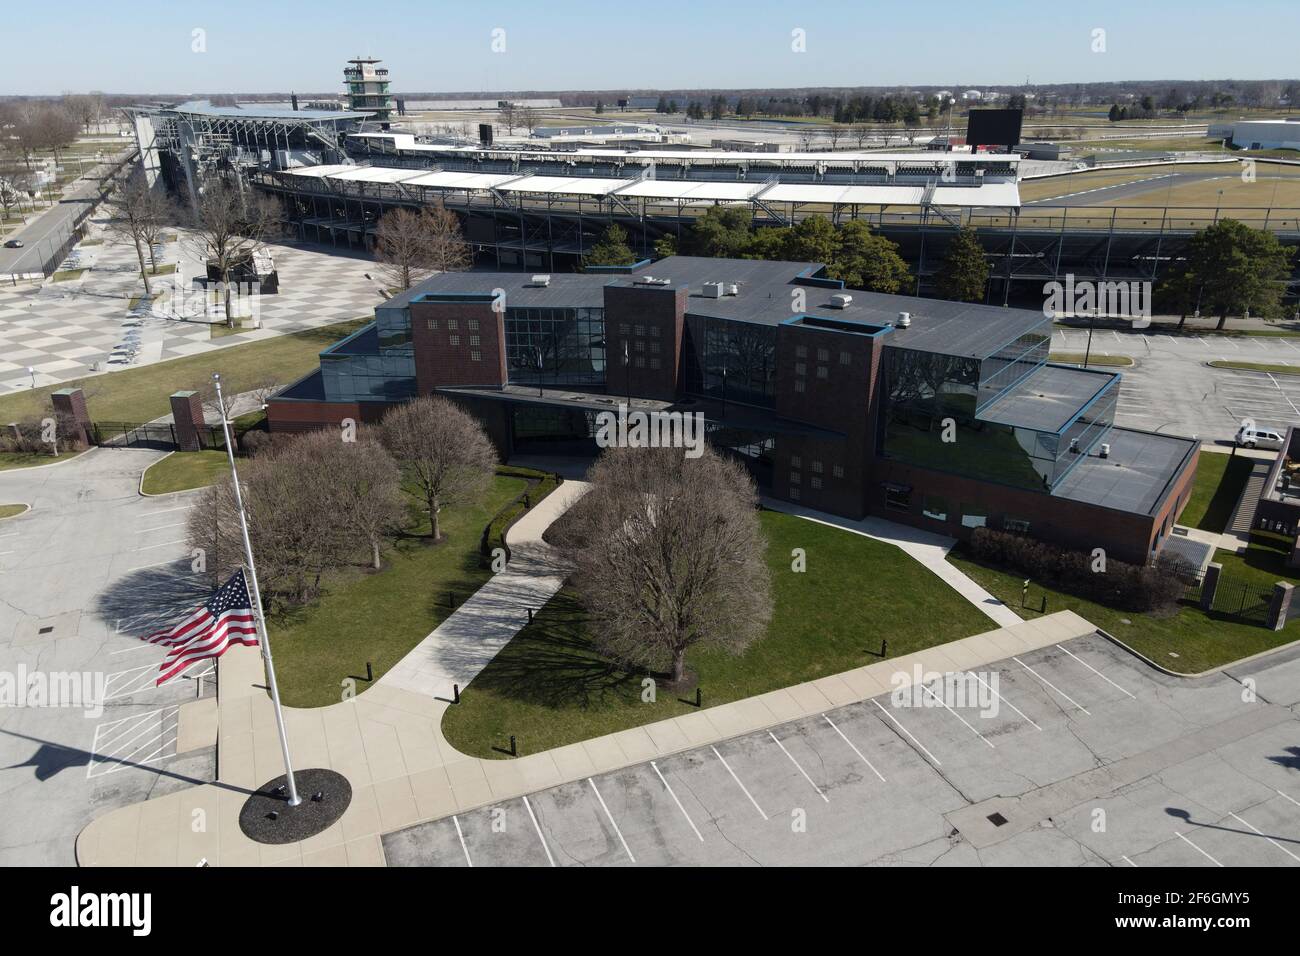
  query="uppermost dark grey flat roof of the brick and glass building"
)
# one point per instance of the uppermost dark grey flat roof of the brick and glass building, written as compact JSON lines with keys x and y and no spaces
{"x":766,"y":296}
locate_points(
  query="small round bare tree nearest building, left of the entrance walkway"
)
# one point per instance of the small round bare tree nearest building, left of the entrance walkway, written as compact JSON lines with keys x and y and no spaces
{"x":447,"y":455}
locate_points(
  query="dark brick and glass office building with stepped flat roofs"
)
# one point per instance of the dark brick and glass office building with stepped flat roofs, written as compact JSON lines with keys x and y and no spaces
{"x":938,"y":414}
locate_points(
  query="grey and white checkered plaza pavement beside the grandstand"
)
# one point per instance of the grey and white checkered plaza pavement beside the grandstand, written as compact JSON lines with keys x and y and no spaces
{"x":81,"y":326}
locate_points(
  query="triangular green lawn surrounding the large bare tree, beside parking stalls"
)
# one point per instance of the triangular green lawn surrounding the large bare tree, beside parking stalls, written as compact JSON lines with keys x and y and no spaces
{"x":549,"y":687}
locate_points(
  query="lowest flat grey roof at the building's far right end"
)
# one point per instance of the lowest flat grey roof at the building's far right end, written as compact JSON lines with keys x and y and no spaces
{"x":1134,"y":478}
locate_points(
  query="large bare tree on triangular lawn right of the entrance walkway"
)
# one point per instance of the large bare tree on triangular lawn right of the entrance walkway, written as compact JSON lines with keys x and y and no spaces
{"x":668,"y":555}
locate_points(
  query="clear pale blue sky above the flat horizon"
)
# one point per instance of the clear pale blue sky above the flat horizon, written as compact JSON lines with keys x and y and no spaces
{"x":561,"y":45}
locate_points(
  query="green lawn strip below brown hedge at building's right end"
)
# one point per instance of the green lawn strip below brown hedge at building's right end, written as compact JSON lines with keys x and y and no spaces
{"x":1188,"y":642}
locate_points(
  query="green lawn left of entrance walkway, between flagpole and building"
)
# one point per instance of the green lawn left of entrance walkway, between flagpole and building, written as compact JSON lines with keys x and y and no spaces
{"x":379,"y":617}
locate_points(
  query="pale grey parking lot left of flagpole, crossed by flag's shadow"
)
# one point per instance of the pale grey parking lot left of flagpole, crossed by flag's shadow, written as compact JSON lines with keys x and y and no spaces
{"x":83,"y":576}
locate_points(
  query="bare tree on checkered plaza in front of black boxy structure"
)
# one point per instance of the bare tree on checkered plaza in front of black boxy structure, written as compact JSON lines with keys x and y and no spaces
{"x":229,"y":227}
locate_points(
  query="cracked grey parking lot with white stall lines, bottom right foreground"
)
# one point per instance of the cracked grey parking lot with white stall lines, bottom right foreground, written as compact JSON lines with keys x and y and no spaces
{"x":1093,"y":759}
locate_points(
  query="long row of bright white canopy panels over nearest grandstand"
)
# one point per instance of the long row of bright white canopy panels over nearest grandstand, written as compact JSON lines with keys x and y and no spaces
{"x":991,"y":194}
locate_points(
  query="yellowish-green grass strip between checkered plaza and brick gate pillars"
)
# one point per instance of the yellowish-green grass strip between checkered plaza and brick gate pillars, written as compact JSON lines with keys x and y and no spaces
{"x":141,"y":395}
